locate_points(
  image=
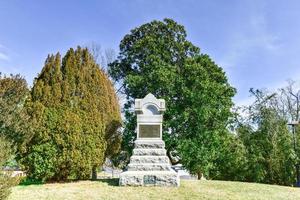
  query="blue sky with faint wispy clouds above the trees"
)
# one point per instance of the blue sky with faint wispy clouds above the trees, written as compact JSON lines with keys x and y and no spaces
{"x":257,"y":42}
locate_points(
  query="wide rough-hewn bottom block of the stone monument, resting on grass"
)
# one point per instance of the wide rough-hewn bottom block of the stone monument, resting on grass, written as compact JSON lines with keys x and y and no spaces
{"x":139,"y":178}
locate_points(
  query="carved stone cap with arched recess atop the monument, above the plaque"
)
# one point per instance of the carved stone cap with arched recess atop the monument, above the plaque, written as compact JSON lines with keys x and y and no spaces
{"x":150,"y":105}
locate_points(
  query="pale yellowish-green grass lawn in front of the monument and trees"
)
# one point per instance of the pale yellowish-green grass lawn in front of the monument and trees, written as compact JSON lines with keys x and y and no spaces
{"x":189,"y":189}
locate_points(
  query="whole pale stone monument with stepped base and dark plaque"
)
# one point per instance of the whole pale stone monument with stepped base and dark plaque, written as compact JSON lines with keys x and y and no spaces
{"x":149,"y":165}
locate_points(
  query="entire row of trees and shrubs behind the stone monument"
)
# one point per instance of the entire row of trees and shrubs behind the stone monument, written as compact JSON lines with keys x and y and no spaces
{"x":68,"y":122}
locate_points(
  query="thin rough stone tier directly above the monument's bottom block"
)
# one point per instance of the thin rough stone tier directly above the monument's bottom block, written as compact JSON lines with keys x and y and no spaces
{"x":149,"y":167}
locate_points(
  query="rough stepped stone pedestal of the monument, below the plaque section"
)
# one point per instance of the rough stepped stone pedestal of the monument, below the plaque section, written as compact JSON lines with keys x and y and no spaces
{"x":149,"y":166}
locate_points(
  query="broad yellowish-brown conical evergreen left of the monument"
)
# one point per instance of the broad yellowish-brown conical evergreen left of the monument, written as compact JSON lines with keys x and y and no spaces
{"x":74,"y":115}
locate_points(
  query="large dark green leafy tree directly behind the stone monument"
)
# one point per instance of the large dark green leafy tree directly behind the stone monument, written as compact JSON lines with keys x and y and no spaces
{"x":156,"y":57}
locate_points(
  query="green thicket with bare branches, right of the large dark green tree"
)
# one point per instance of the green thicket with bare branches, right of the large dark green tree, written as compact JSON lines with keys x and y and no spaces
{"x":263,"y":139}
